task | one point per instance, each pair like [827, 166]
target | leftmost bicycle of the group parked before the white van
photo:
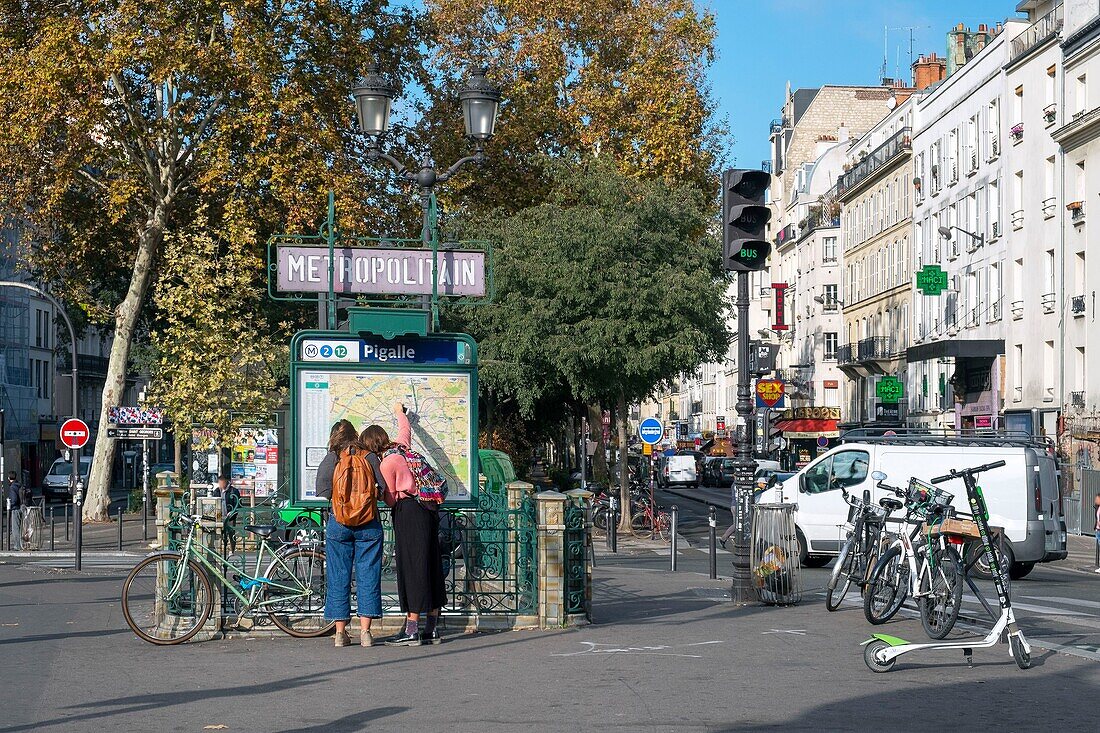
[863, 546]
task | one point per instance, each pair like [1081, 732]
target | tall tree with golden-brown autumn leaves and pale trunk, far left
[120, 119]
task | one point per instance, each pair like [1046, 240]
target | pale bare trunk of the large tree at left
[126, 320]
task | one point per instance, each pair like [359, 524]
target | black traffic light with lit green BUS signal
[745, 218]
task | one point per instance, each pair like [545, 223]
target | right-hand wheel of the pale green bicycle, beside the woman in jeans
[296, 601]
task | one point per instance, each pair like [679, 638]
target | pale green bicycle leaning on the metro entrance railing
[169, 597]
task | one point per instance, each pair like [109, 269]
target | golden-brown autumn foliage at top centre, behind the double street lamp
[621, 81]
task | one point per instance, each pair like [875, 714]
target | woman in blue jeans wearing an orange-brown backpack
[354, 535]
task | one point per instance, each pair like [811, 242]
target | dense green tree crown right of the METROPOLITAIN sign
[609, 289]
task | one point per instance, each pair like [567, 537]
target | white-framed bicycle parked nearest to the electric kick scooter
[928, 568]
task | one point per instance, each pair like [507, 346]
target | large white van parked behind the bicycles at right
[1022, 497]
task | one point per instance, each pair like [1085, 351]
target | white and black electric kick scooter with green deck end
[882, 651]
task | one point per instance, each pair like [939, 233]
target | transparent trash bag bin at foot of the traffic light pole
[775, 555]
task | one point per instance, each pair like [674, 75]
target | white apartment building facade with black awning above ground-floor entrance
[961, 165]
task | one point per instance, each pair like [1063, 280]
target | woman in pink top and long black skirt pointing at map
[421, 586]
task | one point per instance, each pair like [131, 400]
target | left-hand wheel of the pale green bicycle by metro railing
[167, 600]
